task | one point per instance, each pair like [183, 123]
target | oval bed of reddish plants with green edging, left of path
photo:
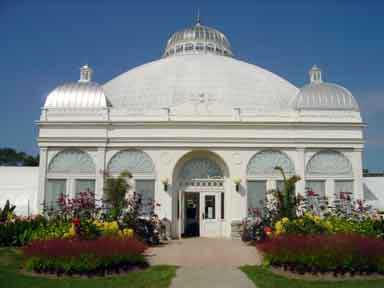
[84, 257]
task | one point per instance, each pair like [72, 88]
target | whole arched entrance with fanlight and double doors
[199, 195]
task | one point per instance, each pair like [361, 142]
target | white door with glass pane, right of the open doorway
[209, 215]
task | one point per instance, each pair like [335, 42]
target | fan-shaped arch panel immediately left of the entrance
[134, 161]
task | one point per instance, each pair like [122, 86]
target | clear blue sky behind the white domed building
[43, 43]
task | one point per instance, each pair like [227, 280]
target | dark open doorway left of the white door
[192, 215]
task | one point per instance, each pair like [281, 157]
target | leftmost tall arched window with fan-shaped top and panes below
[70, 172]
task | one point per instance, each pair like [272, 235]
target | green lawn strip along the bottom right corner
[263, 278]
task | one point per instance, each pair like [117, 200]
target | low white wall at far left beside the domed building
[19, 185]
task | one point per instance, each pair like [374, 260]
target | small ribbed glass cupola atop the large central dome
[198, 39]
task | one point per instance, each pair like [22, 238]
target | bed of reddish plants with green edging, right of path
[338, 253]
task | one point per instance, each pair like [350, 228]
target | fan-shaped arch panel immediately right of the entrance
[264, 162]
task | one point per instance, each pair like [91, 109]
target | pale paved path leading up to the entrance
[207, 262]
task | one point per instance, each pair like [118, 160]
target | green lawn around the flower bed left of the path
[11, 259]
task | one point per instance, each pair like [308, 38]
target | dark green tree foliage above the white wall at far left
[11, 157]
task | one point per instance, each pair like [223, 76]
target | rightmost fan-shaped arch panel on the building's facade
[330, 163]
